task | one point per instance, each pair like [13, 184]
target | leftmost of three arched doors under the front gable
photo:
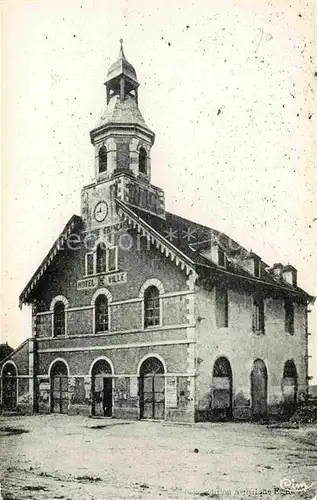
[59, 387]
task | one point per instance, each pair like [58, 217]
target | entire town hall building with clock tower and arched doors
[140, 313]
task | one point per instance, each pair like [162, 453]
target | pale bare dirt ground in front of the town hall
[61, 457]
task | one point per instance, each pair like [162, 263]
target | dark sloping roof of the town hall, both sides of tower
[186, 239]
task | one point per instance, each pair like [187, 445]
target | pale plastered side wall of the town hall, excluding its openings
[242, 346]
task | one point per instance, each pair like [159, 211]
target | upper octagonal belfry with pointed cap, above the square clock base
[122, 140]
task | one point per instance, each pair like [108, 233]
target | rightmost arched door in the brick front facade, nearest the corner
[152, 389]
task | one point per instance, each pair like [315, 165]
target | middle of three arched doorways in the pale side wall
[259, 389]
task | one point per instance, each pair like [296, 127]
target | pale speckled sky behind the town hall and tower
[227, 86]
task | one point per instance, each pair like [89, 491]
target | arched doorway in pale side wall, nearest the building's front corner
[222, 389]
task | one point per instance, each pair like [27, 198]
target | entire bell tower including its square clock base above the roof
[122, 142]
